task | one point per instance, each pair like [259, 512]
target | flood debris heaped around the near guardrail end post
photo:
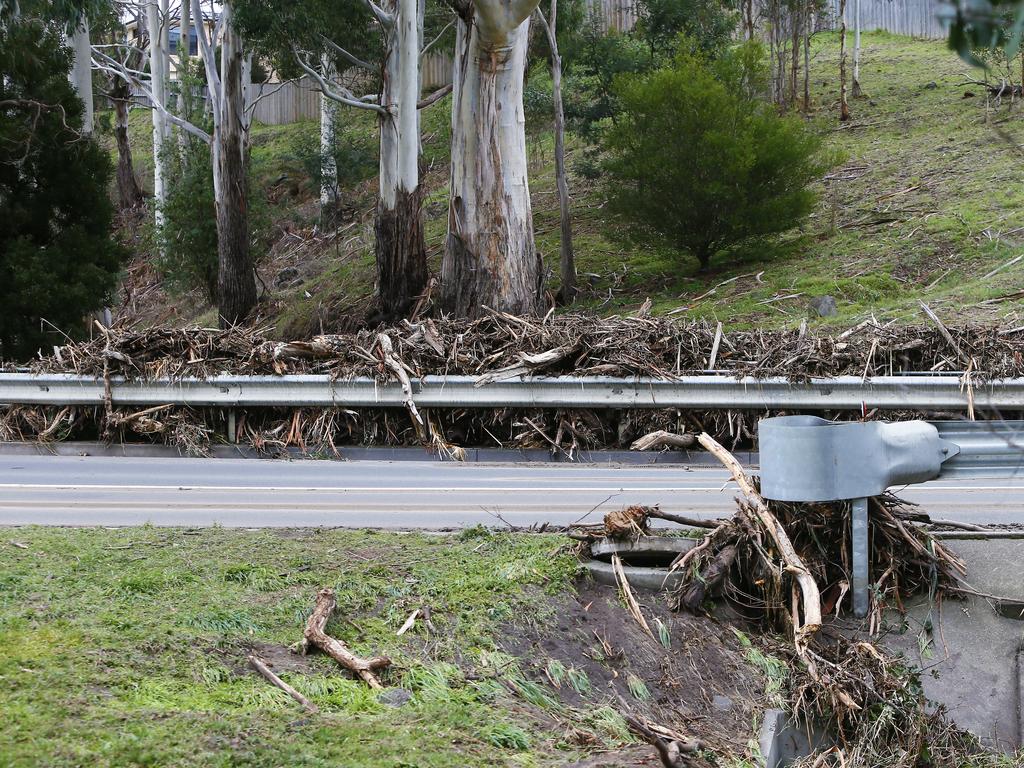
[788, 568]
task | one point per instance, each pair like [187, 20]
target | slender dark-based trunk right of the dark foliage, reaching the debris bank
[236, 284]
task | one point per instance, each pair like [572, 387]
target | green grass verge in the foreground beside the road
[127, 649]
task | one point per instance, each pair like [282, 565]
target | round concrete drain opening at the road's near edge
[646, 561]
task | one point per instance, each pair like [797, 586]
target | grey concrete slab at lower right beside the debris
[973, 666]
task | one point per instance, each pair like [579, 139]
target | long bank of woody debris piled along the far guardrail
[496, 348]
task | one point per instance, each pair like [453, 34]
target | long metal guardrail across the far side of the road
[690, 393]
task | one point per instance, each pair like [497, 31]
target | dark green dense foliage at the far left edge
[58, 262]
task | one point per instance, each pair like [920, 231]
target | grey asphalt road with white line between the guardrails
[247, 493]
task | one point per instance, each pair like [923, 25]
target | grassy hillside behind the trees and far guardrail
[925, 206]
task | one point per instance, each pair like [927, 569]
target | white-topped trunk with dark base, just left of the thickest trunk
[402, 255]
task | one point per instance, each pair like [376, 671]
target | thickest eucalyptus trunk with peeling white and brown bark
[490, 259]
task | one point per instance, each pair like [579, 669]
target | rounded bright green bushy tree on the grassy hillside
[700, 158]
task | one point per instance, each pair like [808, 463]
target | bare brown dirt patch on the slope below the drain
[694, 678]
